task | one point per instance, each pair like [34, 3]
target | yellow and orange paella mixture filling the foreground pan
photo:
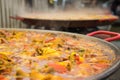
[32, 55]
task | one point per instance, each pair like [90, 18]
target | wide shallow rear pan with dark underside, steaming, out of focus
[70, 21]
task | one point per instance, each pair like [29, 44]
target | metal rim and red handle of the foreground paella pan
[106, 45]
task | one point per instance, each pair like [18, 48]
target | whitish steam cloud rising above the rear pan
[70, 7]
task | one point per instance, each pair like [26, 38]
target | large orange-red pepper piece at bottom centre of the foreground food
[58, 68]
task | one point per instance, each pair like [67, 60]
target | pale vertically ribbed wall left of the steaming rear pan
[7, 9]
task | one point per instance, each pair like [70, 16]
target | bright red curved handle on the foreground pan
[116, 36]
